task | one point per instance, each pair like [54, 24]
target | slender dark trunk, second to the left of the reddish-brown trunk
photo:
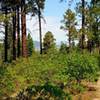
[14, 34]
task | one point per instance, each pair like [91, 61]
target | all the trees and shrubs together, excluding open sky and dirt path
[53, 73]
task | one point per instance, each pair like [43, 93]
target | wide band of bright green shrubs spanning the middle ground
[55, 68]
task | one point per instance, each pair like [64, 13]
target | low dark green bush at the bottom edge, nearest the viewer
[44, 92]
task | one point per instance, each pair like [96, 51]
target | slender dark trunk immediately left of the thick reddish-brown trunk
[18, 33]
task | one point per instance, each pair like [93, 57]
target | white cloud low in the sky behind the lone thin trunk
[52, 24]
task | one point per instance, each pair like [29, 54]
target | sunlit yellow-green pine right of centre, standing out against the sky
[69, 22]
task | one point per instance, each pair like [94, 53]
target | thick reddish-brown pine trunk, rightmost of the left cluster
[23, 23]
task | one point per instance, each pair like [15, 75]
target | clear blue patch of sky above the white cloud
[56, 8]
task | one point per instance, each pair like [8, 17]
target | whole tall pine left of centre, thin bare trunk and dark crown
[36, 7]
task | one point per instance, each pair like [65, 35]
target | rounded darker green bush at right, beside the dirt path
[81, 66]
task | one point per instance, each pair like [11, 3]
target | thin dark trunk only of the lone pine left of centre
[40, 30]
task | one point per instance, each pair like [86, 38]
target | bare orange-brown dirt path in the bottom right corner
[92, 94]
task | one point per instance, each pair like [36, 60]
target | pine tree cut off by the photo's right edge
[95, 13]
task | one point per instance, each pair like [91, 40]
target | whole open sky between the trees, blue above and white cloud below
[53, 14]
